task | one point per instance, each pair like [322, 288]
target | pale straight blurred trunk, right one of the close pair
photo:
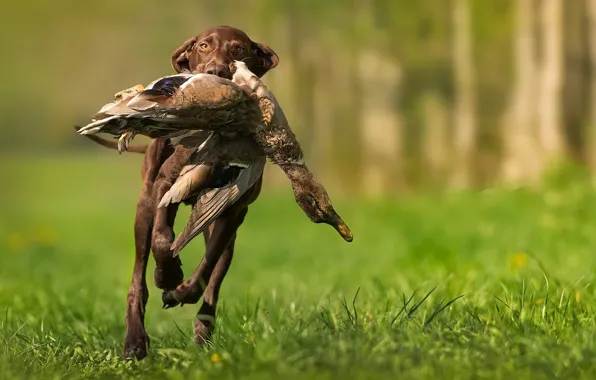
[551, 81]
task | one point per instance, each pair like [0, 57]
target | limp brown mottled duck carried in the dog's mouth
[234, 125]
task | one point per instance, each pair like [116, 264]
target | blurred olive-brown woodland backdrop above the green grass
[385, 96]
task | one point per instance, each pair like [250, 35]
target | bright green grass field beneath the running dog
[493, 284]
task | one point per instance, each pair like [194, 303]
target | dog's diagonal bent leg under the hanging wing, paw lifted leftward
[223, 232]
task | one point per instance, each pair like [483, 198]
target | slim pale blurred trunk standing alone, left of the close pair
[464, 109]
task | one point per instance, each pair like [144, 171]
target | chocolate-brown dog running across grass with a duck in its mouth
[213, 51]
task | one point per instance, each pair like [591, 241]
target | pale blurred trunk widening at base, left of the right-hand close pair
[521, 154]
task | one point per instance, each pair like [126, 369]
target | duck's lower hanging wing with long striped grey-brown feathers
[213, 202]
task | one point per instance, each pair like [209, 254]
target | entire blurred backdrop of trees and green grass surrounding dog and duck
[457, 138]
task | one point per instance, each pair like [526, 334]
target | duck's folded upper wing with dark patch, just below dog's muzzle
[177, 103]
